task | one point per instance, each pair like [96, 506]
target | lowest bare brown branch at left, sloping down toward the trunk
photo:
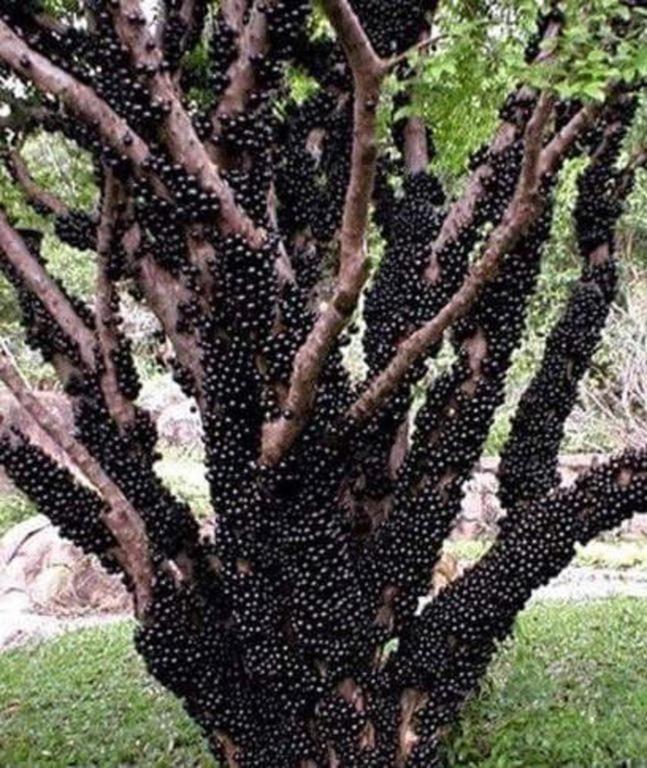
[122, 520]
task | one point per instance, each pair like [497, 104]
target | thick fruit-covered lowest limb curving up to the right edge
[455, 637]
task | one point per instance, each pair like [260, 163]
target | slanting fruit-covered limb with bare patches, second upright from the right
[450, 431]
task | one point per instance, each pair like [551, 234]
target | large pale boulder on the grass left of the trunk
[43, 573]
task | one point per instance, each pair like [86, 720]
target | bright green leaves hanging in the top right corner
[478, 57]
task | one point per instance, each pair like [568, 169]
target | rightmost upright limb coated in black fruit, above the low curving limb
[528, 467]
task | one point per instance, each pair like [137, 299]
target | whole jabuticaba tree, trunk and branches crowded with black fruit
[241, 217]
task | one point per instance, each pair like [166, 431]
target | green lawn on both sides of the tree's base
[571, 691]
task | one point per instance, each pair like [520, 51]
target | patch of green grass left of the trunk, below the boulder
[85, 700]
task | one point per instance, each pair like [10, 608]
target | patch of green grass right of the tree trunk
[570, 692]
